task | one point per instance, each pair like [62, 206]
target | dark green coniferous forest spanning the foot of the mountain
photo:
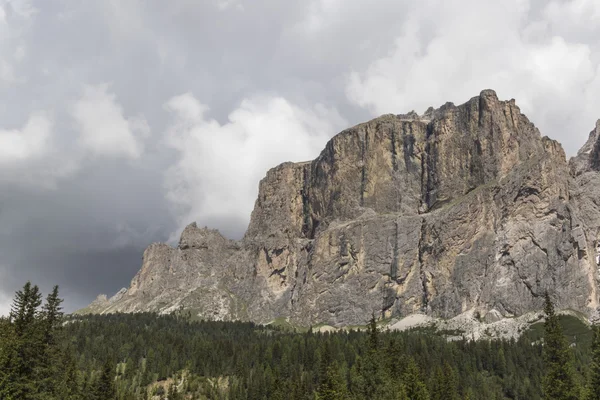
[45, 355]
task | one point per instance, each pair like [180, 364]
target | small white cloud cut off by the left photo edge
[29, 142]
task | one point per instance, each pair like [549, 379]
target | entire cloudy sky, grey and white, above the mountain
[121, 121]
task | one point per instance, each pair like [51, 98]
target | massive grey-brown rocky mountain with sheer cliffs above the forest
[463, 208]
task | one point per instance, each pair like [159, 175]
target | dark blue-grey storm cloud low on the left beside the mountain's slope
[87, 234]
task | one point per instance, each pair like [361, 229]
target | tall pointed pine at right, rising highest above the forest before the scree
[559, 380]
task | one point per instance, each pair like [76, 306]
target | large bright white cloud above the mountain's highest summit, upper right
[478, 45]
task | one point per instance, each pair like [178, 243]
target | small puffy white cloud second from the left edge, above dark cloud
[103, 128]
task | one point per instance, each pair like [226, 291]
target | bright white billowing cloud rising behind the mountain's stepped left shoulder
[219, 165]
